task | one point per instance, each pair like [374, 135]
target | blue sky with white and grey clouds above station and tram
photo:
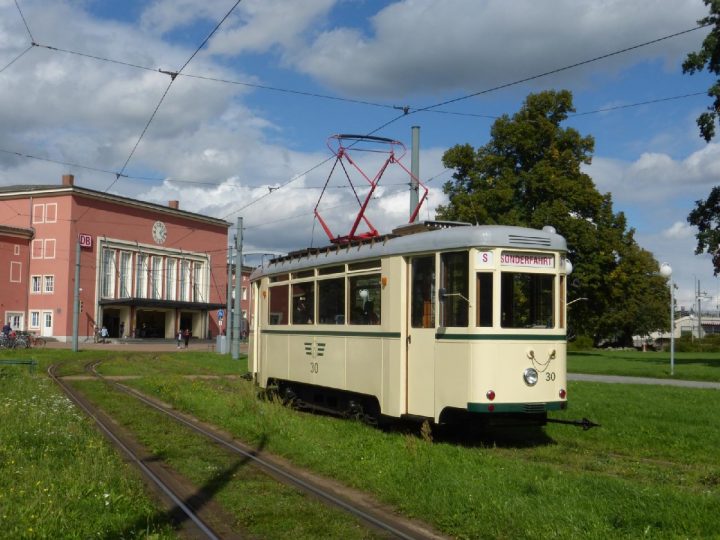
[243, 129]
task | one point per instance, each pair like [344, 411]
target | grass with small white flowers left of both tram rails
[58, 476]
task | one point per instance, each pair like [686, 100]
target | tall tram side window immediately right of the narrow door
[454, 278]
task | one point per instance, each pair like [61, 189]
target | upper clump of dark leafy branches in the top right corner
[708, 57]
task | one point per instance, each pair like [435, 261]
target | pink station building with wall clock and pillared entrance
[146, 270]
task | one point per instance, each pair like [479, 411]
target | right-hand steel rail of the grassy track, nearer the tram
[263, 463]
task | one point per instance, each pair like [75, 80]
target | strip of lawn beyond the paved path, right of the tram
[688, 366]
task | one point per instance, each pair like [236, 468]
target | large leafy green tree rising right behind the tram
[529, 174]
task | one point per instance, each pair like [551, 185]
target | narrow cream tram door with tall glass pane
[421, 337]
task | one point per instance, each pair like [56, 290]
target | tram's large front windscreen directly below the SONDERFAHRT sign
[527, 300]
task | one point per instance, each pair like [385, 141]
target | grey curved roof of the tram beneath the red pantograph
[441, 239]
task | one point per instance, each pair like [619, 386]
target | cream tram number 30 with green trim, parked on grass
[464, 321]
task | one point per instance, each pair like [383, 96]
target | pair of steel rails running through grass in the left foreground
[356, 504]
